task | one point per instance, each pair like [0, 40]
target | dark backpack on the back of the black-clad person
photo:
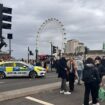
[89, 75]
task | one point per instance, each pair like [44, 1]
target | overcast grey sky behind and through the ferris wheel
[82, 19]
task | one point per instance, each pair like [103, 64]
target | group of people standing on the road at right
[90, 72]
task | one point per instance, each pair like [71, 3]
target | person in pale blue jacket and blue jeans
[80, 67]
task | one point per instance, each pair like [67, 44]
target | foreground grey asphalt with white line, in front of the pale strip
[52, 97]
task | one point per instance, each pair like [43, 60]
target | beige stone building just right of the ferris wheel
[74, 47]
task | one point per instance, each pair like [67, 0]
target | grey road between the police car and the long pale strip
[18, 83]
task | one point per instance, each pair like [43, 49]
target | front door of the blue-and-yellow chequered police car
[21, 69]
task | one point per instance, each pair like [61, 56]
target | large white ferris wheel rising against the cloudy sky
[50, 31]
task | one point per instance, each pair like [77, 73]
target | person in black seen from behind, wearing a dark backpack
[91, 80]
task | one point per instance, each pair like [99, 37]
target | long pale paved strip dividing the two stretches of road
[12, 94]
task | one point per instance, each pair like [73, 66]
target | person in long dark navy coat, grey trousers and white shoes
[62, 73]
